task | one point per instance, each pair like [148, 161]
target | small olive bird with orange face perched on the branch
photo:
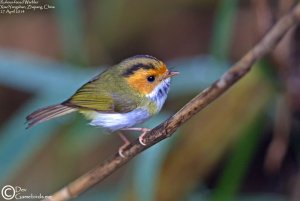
[119, 98]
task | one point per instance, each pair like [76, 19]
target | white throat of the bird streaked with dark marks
[159, 93]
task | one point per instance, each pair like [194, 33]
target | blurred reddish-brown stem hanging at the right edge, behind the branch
[285, 62]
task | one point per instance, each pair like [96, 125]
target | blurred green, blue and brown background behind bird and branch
[244, 146]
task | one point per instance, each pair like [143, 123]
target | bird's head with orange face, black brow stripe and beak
[144, 73]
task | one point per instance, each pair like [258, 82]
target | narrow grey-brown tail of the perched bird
[47, 113]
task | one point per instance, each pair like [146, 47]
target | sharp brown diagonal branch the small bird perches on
[167, 128]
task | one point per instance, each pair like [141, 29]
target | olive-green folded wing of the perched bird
[99, 96]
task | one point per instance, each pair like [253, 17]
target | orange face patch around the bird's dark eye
[140, 79]
